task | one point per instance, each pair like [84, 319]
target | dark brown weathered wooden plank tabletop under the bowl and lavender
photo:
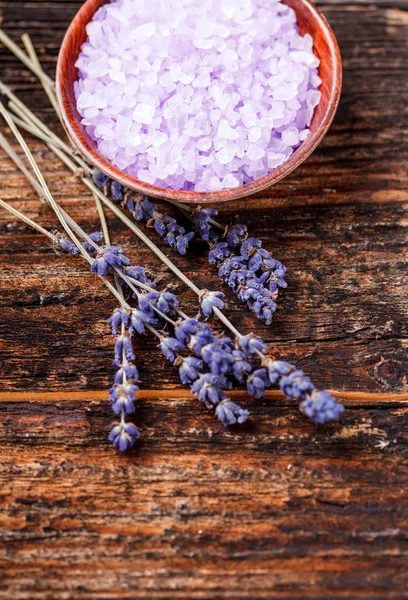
[279, 508]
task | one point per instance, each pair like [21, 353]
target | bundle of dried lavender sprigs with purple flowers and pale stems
[224, 358]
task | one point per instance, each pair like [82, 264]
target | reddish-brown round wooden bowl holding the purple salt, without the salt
[310, 20]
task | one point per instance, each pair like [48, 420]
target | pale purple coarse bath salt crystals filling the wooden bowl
[199, 95]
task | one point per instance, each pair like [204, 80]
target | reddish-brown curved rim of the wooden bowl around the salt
[76, 134]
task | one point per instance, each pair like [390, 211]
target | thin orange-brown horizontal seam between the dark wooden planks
[350, 399]
